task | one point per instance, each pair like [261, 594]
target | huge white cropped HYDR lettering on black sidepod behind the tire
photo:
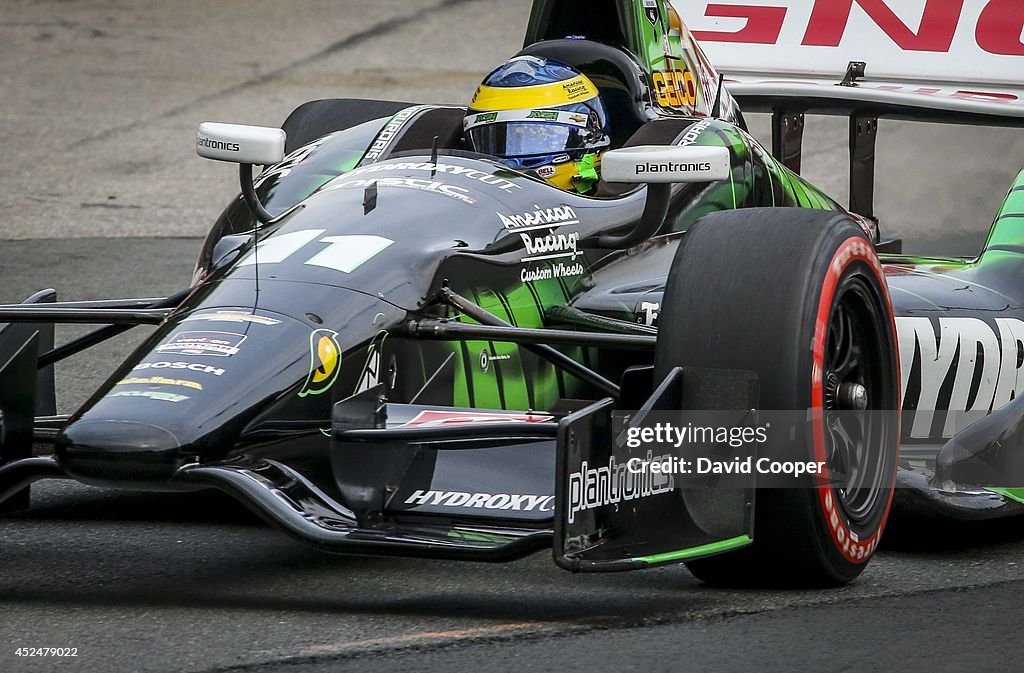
[965, 365]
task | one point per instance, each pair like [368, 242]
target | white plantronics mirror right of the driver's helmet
[660, 165]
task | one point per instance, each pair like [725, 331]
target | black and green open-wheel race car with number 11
[395, 347]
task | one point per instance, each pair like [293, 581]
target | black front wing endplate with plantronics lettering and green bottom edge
[610, 518]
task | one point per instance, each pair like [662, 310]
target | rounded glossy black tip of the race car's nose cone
[119, 453]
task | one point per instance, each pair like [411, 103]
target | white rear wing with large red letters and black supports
[935, 61]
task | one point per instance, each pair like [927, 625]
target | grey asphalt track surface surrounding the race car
[101, 197]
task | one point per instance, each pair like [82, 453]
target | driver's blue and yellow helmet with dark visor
[544, 117]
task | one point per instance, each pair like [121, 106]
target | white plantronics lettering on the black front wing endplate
[615, 484]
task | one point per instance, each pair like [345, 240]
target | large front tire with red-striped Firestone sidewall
[797, 297]
